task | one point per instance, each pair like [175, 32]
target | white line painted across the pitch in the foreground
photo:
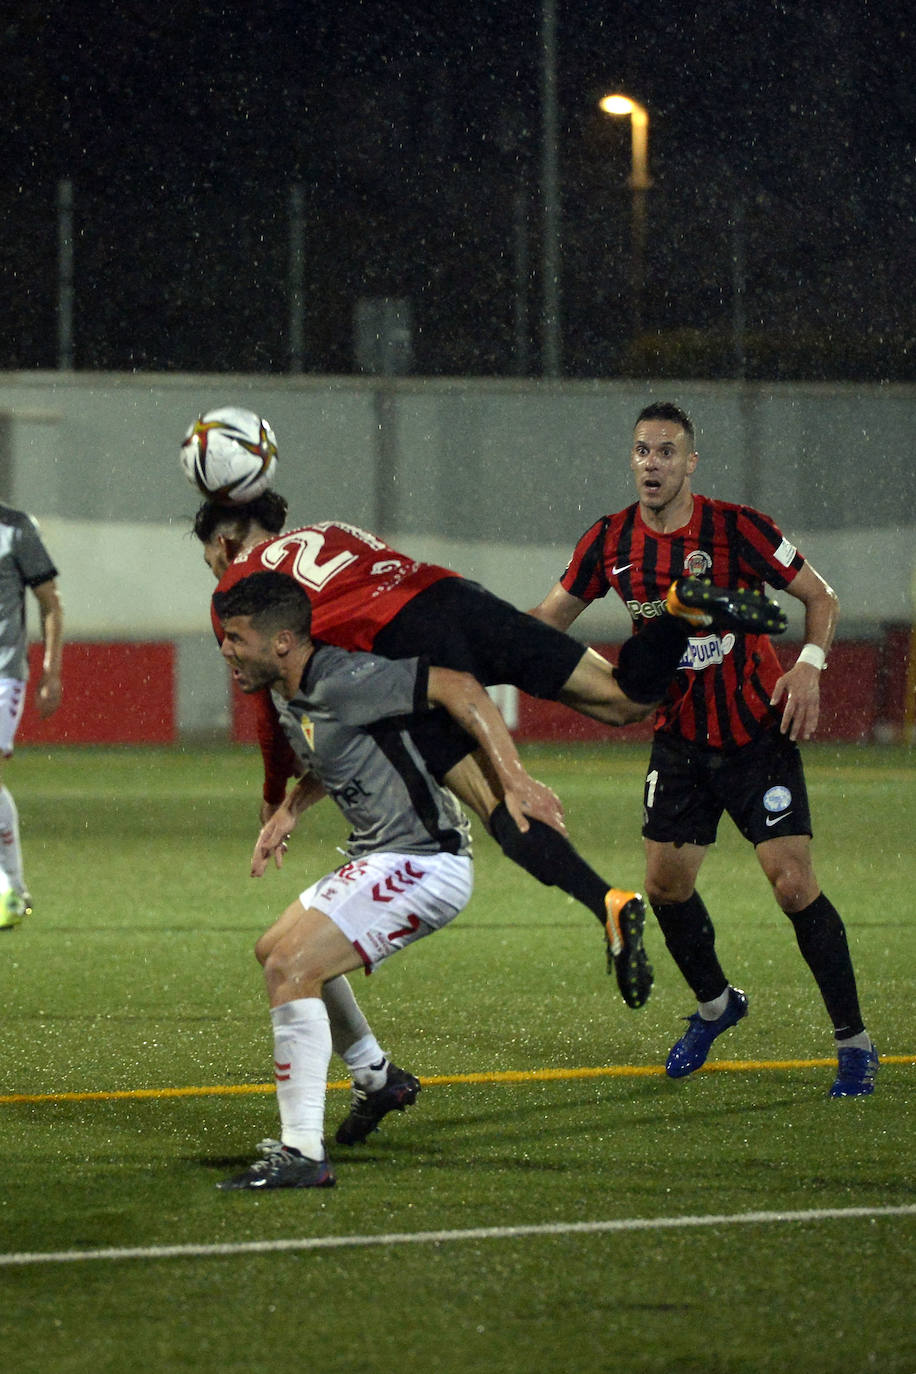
[484, 1233]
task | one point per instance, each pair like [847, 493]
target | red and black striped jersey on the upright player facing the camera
[722, 693]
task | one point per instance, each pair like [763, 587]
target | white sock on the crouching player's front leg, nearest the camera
[301, 1059]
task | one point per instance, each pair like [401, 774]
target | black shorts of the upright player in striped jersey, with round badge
[762, 787]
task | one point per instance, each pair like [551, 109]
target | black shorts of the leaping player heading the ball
[458, 624]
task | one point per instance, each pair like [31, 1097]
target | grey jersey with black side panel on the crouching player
[350, 725]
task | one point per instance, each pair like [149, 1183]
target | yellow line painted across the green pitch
[619, 1071]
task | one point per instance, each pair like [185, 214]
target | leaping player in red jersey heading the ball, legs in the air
[370, 597]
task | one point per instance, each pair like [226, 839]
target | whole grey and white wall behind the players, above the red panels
[496, 479]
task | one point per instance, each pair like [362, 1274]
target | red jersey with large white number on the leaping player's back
[356, 585]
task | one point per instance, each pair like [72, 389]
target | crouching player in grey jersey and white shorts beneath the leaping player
[409, 866]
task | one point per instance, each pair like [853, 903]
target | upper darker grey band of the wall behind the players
[496, 461]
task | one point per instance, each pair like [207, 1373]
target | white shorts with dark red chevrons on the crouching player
[387, 902]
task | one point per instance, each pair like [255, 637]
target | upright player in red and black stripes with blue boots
[726, 737]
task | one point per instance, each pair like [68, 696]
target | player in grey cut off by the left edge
[25, 564]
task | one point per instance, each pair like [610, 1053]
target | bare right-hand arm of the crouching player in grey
[476, 712]
